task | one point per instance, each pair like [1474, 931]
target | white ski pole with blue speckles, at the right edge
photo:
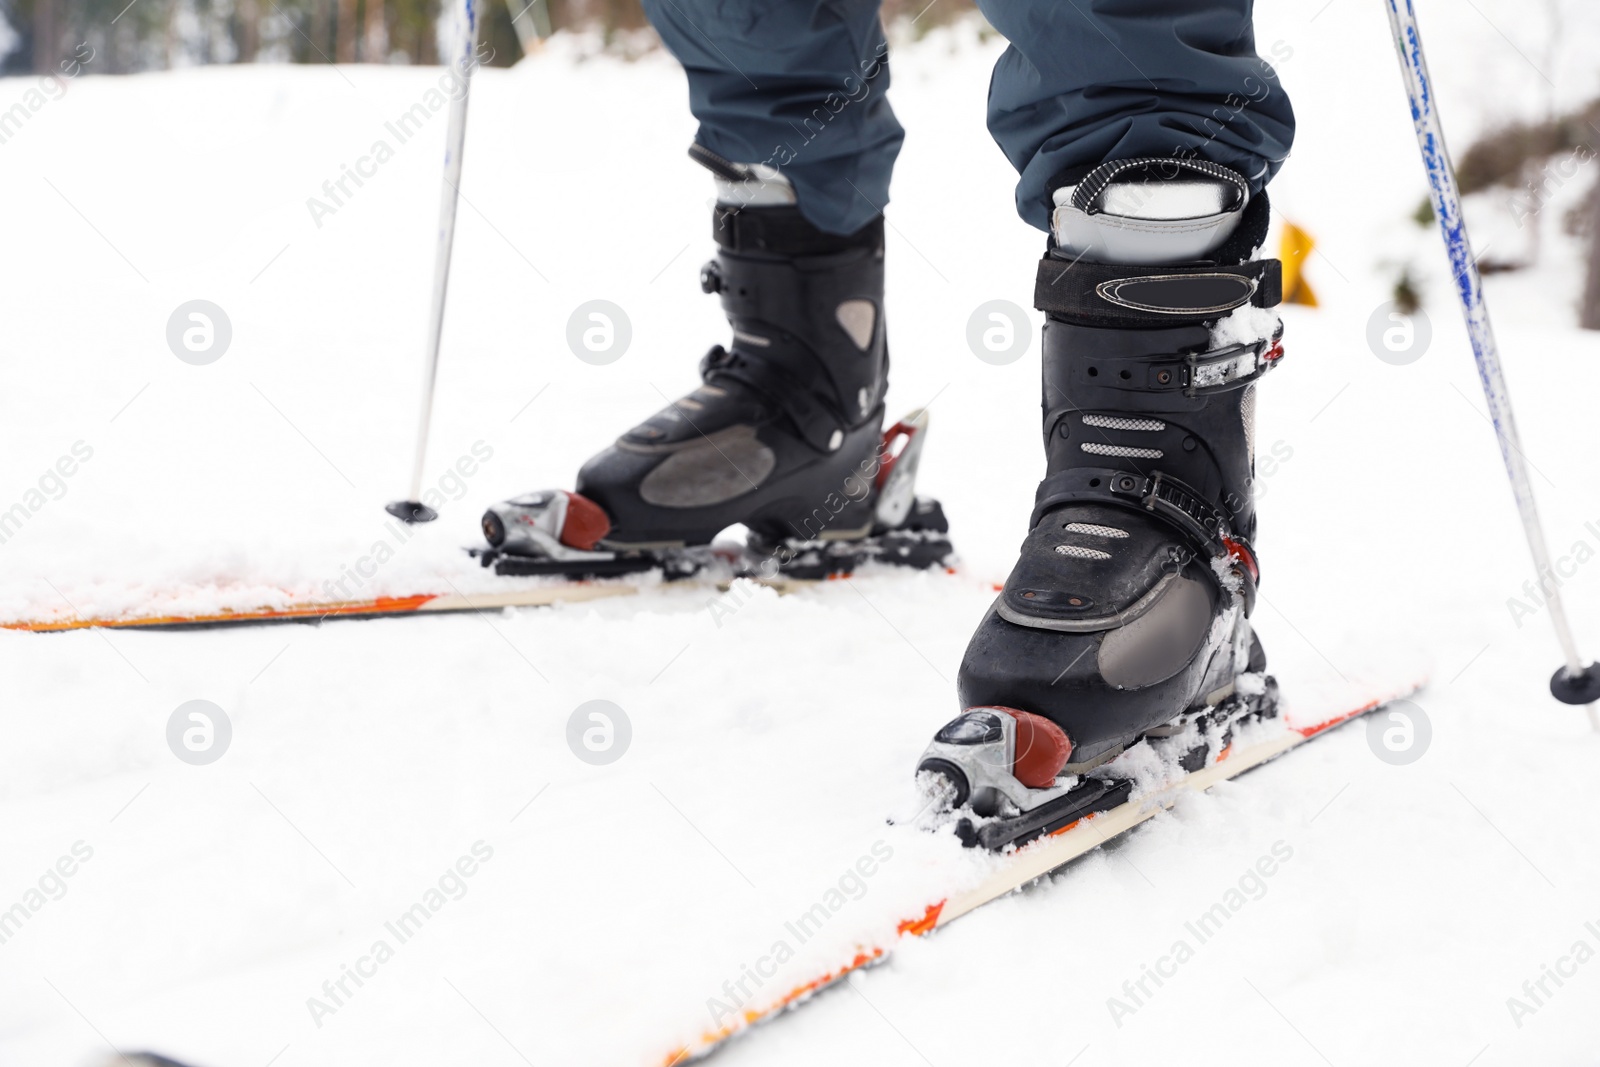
[1574, 682]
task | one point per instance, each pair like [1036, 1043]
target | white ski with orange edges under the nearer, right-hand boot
[1102, 815]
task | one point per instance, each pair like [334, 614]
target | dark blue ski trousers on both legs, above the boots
[801, 86]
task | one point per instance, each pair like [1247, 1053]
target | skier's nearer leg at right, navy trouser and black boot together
[1145, 132]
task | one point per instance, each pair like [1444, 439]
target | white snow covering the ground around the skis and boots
[606, 906]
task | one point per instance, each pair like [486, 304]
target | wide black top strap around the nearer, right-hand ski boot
[1110, 295]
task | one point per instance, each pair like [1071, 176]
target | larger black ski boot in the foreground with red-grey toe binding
[1126, 620]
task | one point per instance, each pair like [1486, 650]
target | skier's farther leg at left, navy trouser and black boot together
[785, 434]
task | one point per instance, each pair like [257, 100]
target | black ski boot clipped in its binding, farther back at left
[783, 436]
